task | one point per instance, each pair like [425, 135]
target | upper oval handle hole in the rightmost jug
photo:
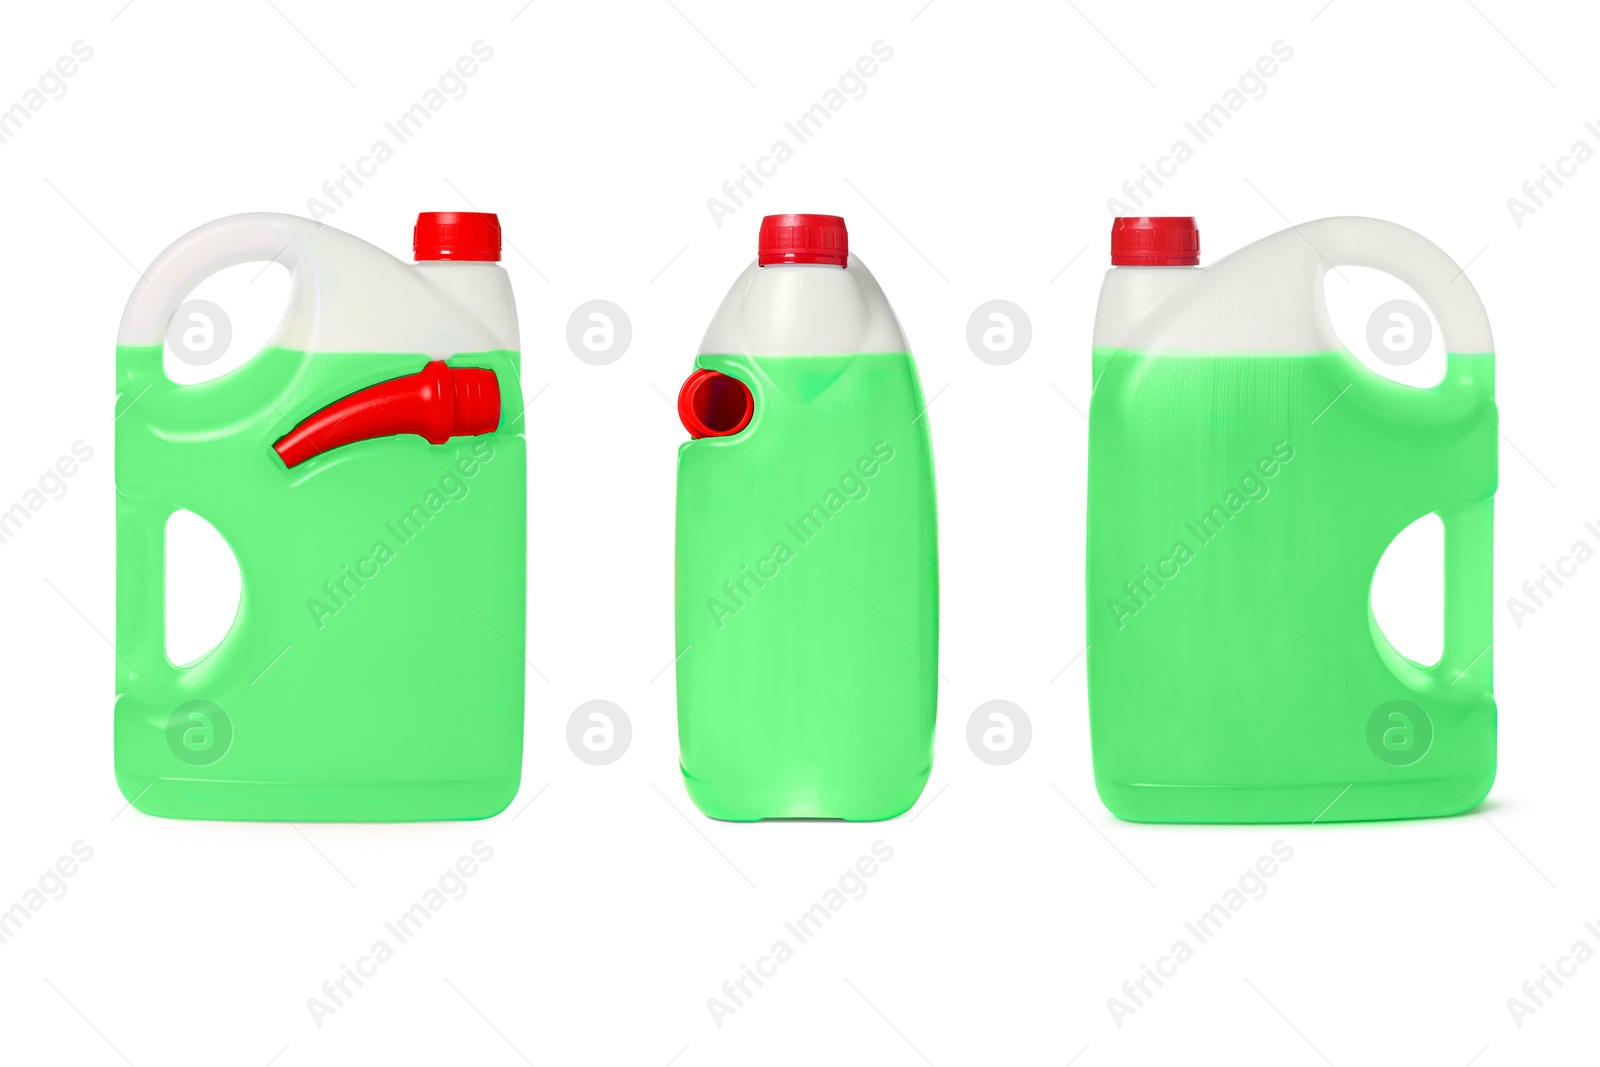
[1386, 326]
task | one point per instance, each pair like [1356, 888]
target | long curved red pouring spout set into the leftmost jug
[438, 404]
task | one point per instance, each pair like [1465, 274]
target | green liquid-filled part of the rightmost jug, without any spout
[1238, 511]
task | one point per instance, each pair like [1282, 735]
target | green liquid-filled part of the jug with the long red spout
[375, 669]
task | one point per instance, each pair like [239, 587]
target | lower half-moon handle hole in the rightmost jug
[1409, 591]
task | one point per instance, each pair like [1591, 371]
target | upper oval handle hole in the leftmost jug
[225, 322]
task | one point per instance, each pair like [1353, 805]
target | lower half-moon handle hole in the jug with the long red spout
[202, 588]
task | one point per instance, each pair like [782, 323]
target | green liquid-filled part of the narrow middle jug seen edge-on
[809, 594]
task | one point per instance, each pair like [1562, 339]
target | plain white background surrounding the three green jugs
[978, 166]
